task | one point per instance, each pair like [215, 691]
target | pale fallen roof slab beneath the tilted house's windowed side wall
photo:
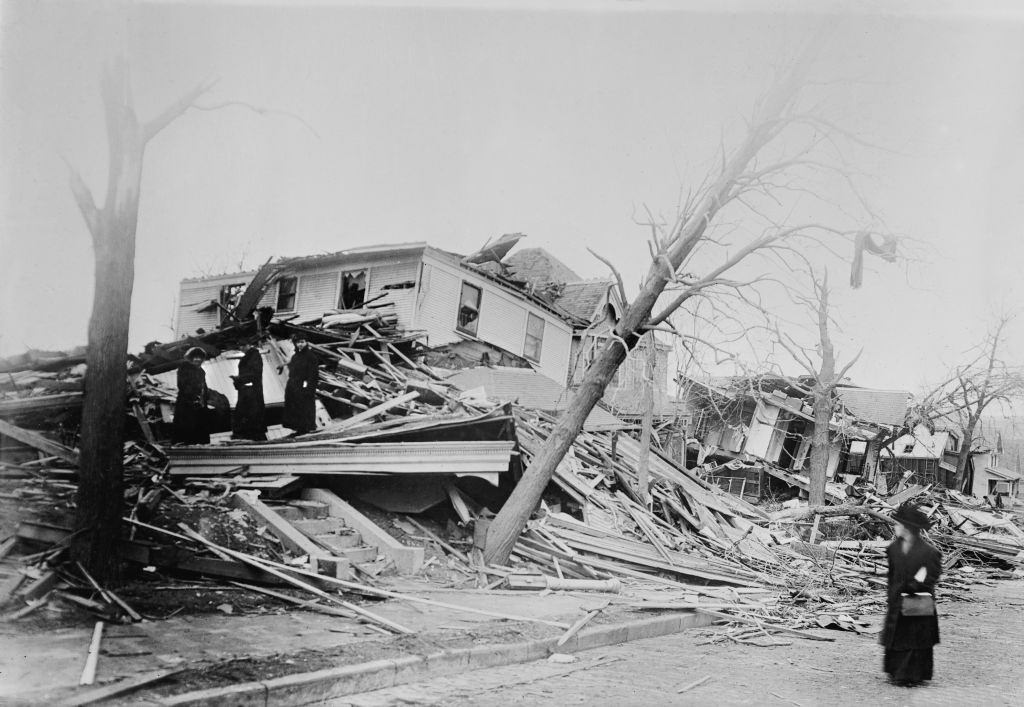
[530, 390]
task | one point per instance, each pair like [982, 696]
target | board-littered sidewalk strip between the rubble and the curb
[250, 650]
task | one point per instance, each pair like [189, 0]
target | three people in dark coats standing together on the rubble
[192, 409]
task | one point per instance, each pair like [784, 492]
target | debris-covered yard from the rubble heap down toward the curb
[389, 504]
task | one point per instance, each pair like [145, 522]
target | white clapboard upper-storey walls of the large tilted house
[442, 299]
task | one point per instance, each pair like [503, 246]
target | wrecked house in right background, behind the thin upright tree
[750, 430]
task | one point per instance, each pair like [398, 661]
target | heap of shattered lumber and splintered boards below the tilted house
[696, 549]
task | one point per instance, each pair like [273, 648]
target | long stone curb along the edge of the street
[320, 686]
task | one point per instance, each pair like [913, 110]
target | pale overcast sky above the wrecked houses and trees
[565, 121]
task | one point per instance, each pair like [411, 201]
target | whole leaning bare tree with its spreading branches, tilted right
[682, 269]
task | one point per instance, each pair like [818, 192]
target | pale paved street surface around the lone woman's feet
[977, 663]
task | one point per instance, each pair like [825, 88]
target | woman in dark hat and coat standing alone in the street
[912, 627]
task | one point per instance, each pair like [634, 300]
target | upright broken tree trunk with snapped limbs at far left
[101, 493]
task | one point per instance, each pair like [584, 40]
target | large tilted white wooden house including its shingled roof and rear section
[526, 311]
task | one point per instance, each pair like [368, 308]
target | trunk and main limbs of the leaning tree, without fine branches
[688, 233]
